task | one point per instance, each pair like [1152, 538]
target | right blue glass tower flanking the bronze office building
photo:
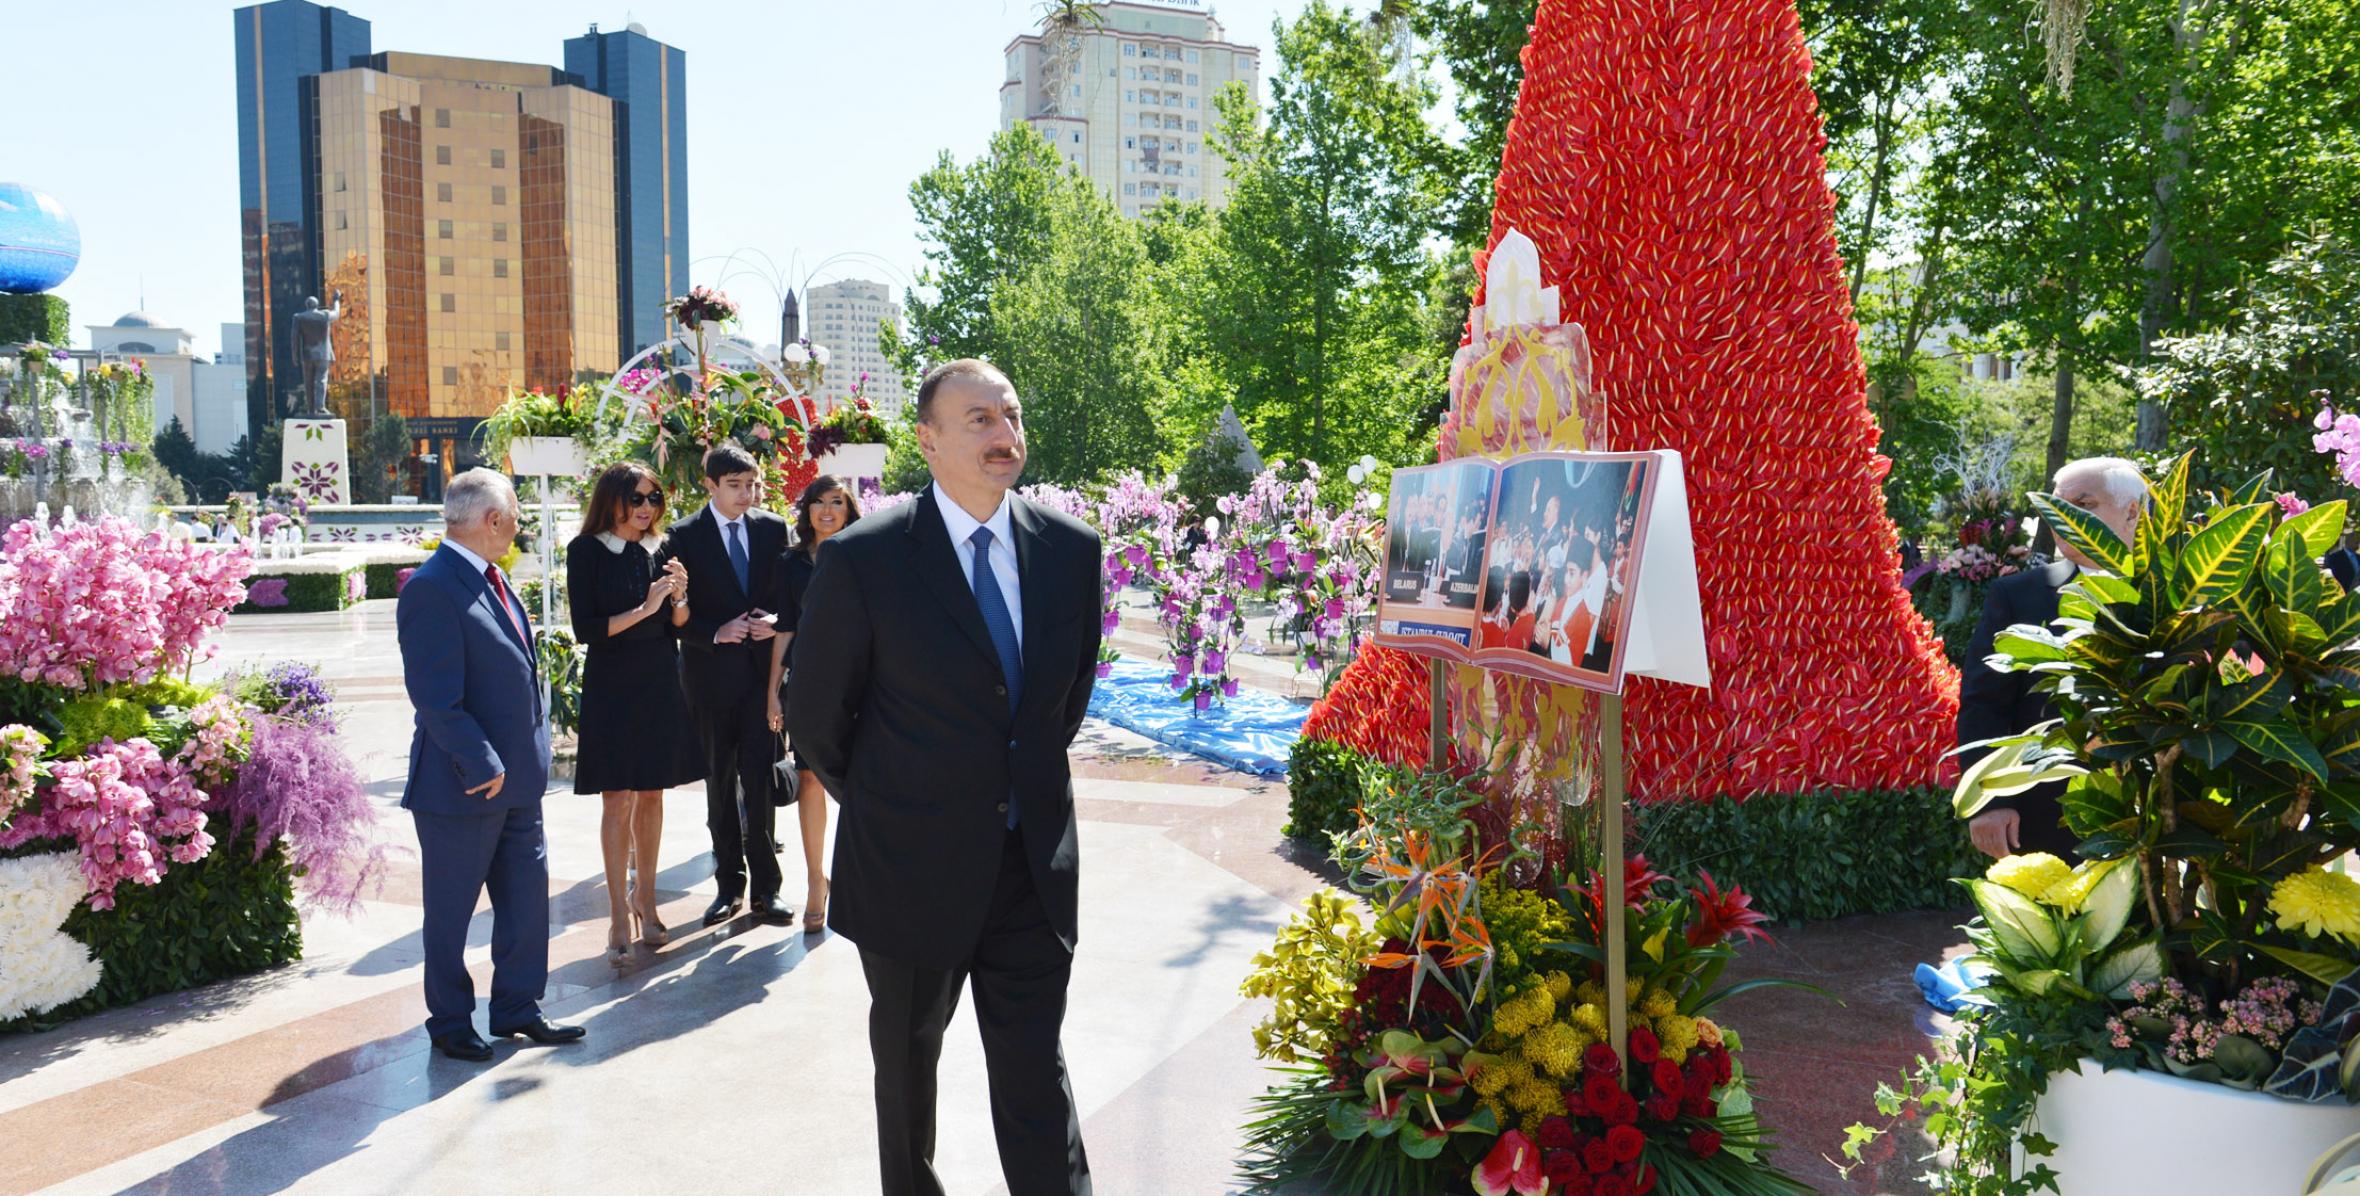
[650, 88]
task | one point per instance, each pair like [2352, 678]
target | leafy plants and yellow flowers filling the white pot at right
[2210, 749]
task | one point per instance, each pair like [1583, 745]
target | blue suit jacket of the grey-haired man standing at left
[476, 692]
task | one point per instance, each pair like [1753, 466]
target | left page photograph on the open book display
[1434, 548]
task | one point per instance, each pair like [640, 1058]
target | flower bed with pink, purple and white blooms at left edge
[152, 832]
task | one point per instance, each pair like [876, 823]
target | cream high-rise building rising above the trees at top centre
[1127, 100]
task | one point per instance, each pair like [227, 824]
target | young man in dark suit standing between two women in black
[733, 553]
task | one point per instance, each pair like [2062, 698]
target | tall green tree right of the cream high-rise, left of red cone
[1320, 277]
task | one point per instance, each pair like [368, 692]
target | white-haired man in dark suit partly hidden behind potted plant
[2002, 704]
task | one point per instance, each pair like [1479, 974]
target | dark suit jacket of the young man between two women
[721, 673]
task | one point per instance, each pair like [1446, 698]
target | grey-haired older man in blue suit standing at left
[480, 761]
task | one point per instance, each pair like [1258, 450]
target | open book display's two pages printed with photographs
[1559, 553]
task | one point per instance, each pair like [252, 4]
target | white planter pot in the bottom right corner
[2144, 1131]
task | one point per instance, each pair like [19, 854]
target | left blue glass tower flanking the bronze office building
[280, 46]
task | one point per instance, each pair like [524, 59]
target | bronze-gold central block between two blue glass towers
[468, 213]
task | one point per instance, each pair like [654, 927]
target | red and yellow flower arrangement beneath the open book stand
[1462, 1037]
